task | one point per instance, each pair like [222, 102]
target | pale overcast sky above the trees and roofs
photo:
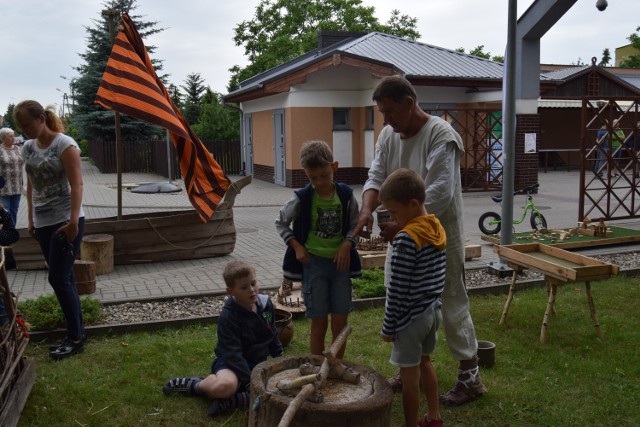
[40, 40]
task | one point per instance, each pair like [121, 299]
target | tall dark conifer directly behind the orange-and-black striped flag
[92, 121]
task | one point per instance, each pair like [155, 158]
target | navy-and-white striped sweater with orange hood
[417, 272]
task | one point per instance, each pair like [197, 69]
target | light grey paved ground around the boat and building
[257, 241]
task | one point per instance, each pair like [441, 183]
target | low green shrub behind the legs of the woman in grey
[44, 312]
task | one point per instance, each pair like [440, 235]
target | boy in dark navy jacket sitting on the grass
[246, 337]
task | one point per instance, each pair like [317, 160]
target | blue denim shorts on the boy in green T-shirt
[325, 289]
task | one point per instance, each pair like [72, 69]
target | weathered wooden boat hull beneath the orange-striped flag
[150, 237]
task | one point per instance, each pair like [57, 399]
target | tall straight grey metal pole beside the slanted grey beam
[509, 128]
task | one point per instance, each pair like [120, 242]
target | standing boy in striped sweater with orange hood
[413, 296]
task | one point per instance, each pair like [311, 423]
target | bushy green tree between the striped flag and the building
[217, 123]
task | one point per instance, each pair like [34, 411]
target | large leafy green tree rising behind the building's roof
[285, 29]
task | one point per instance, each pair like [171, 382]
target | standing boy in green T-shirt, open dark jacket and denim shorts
[321, 245]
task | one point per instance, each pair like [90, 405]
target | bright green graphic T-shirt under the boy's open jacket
[325, 236]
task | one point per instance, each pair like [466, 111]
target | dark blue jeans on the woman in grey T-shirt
[60, 256]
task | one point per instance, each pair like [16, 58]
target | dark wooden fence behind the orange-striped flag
[151, 156]
